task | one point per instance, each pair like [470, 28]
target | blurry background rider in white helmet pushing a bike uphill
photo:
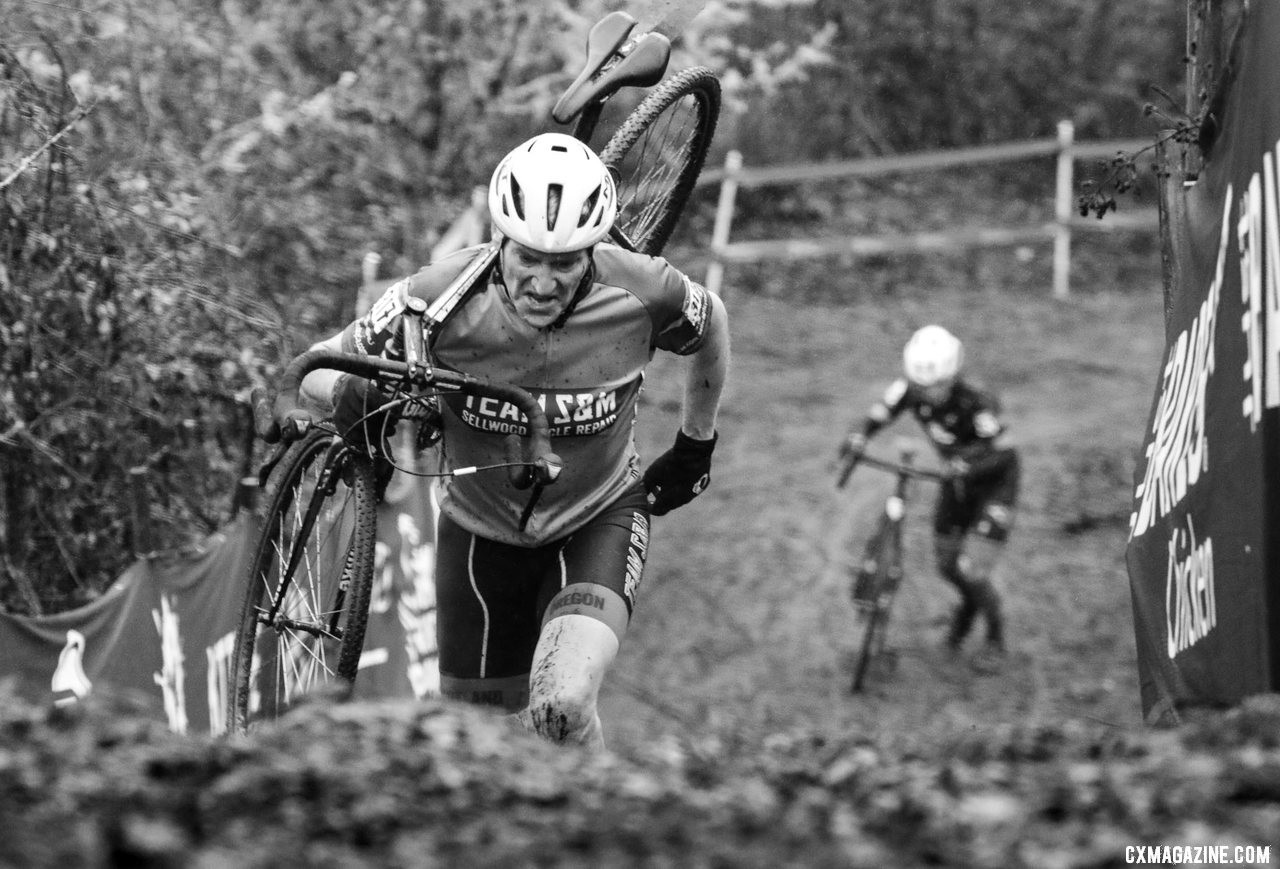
[981, 493]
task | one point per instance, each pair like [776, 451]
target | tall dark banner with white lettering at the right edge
[1204, 551]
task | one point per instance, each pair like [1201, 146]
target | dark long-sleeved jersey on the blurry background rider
[964, 427]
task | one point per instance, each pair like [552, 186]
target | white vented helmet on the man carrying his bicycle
[554, 195]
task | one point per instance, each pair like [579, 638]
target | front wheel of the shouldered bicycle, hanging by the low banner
[307, 602]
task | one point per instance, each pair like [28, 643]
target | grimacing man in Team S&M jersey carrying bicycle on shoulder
[531, 621]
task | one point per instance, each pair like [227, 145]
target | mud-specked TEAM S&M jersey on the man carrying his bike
[586, 372]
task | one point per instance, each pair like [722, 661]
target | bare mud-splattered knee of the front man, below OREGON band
[573, 656]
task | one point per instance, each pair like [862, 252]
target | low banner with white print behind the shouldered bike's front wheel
[164, 630]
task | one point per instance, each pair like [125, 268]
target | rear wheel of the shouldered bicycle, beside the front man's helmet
[657, 154]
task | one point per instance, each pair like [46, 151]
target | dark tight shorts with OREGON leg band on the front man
[493, 598]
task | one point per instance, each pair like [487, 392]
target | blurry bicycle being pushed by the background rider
[879, 577]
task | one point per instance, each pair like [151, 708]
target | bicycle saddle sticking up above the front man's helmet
[612, 65]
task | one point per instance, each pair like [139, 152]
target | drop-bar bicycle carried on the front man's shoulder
[308, 592]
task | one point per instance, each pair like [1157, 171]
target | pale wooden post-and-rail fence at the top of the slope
[735, 176]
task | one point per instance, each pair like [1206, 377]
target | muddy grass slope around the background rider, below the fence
[746, 624]
